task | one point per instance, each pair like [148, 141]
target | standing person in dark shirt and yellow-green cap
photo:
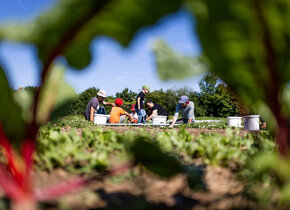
[140, 109]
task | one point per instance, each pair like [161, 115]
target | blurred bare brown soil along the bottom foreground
[147, 191]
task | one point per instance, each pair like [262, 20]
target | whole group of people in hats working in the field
[138, 113]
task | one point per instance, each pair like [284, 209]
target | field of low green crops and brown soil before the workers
[206, 166]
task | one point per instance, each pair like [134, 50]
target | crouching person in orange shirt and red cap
[118, 114]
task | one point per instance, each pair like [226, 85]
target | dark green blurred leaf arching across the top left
[61, 31]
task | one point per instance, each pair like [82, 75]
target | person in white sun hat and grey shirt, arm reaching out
[95, 105]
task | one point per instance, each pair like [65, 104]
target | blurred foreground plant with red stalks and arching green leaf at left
[59, 32]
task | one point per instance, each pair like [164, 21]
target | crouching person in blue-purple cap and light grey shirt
[187, 109]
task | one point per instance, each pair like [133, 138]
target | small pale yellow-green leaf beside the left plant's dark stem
[55, 93]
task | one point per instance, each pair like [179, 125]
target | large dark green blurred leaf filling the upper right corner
[248, 45]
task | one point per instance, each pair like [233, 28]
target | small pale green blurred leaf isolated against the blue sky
[171, 65]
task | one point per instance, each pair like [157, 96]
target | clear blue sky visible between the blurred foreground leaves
[114, 67]
